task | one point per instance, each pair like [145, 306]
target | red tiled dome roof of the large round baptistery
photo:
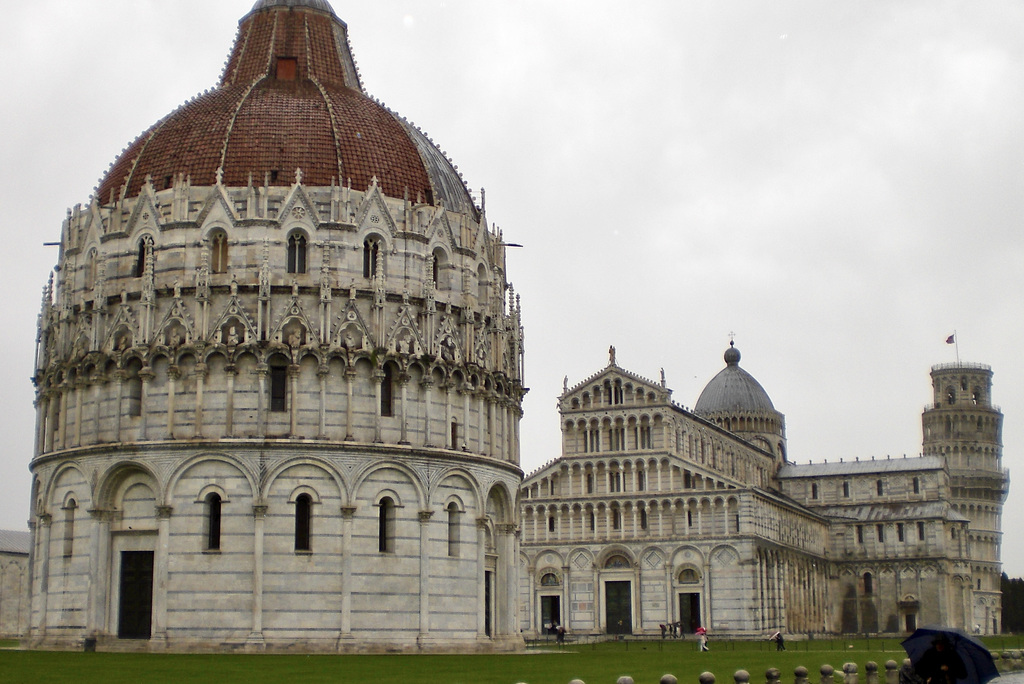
[290, 99]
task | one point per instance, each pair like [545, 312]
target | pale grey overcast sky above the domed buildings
[841, 185]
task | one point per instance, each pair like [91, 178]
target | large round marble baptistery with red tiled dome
[279, 379]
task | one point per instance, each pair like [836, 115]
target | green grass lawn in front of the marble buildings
[595, 664]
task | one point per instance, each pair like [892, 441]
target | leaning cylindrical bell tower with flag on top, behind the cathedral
[965, 429]
